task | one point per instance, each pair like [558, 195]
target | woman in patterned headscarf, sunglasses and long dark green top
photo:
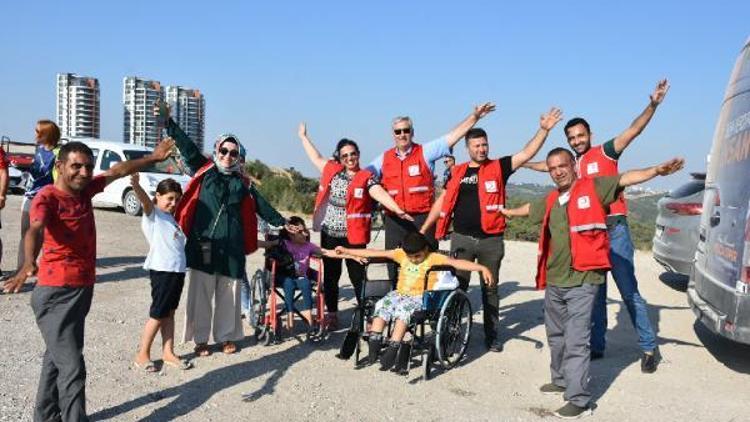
[218, 215]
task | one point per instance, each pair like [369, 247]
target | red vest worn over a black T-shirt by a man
[491, 190]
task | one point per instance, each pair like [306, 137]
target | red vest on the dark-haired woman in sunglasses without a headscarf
[358, 203]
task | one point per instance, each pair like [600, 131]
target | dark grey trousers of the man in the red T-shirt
[61, 315]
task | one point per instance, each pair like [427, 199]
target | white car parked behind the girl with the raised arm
[119, 193]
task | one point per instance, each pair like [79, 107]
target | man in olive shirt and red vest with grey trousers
[573, 279]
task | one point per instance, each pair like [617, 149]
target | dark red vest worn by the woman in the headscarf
[185, 210]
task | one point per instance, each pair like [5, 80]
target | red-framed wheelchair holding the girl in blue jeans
[266, 294]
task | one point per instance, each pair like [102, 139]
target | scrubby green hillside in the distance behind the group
[289, 190]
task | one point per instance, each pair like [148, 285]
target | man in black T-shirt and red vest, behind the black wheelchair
[473, 200]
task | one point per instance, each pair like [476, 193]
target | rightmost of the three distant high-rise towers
[188, 111]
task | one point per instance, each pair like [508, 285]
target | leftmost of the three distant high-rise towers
[77, 105]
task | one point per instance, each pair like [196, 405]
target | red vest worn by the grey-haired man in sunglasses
[408, 181]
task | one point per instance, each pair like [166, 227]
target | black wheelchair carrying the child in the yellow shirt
[440, 332]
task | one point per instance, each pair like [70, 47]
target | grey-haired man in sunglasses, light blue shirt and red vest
[406, 173]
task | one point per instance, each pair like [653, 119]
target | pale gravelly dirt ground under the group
[702, 377]
